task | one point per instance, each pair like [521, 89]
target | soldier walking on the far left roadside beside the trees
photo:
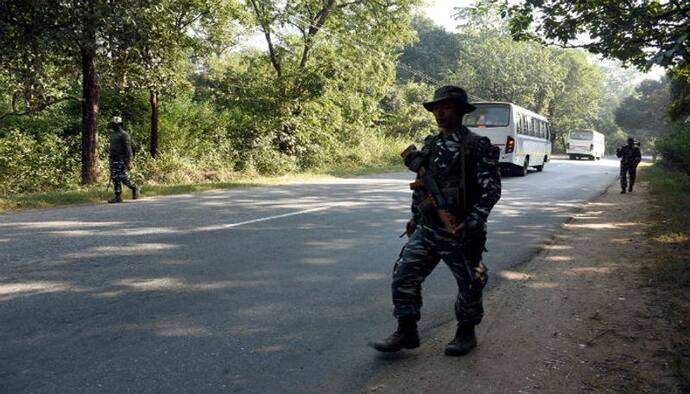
[120, 160]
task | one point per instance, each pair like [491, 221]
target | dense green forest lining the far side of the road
[325, 84]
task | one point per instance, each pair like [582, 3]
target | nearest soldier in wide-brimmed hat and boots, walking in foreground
[465, 166]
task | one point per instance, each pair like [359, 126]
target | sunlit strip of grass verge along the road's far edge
[99, 195]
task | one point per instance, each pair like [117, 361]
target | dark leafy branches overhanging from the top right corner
[641, 33]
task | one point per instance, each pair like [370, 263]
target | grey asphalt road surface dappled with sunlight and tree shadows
[271, 289]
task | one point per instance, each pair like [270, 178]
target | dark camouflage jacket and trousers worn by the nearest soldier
[463, 159]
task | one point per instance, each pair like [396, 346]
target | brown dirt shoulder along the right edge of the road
[580, 317]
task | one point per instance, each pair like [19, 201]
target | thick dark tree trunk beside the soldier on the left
[89, 135]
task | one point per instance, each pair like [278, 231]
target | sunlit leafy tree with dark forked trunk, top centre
[330, 64]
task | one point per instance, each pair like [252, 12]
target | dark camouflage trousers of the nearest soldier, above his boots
[418, 259]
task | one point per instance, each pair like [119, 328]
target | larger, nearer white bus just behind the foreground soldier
[522, 135]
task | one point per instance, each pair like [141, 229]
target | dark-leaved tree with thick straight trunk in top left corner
[39, 36]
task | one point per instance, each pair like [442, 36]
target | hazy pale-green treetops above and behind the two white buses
[559, 84]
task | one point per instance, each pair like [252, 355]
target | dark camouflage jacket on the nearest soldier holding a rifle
[481, 188]
